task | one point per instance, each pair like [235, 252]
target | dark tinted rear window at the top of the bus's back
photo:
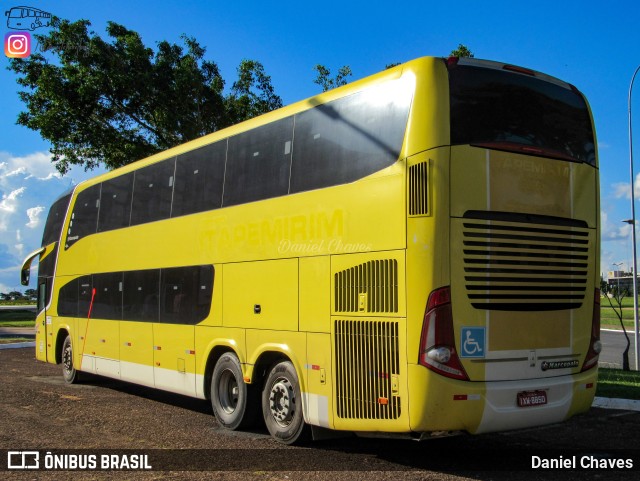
[517, 112]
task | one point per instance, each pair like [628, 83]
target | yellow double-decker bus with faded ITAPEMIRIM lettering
[415, 253]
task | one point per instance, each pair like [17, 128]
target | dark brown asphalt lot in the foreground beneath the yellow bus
[39, 413]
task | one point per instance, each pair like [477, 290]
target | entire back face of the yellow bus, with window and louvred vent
[512, 340]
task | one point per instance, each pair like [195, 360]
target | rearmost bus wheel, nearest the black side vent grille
[282, 405]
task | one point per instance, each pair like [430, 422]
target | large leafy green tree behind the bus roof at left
[115, 101]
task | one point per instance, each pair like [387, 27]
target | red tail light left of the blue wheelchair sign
[437, 343]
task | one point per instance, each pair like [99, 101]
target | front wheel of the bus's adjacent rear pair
[235, 404]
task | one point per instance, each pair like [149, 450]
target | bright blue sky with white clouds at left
[591, 44]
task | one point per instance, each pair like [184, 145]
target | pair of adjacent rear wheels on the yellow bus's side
[237, 404]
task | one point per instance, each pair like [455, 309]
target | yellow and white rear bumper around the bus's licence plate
[478, 407]
